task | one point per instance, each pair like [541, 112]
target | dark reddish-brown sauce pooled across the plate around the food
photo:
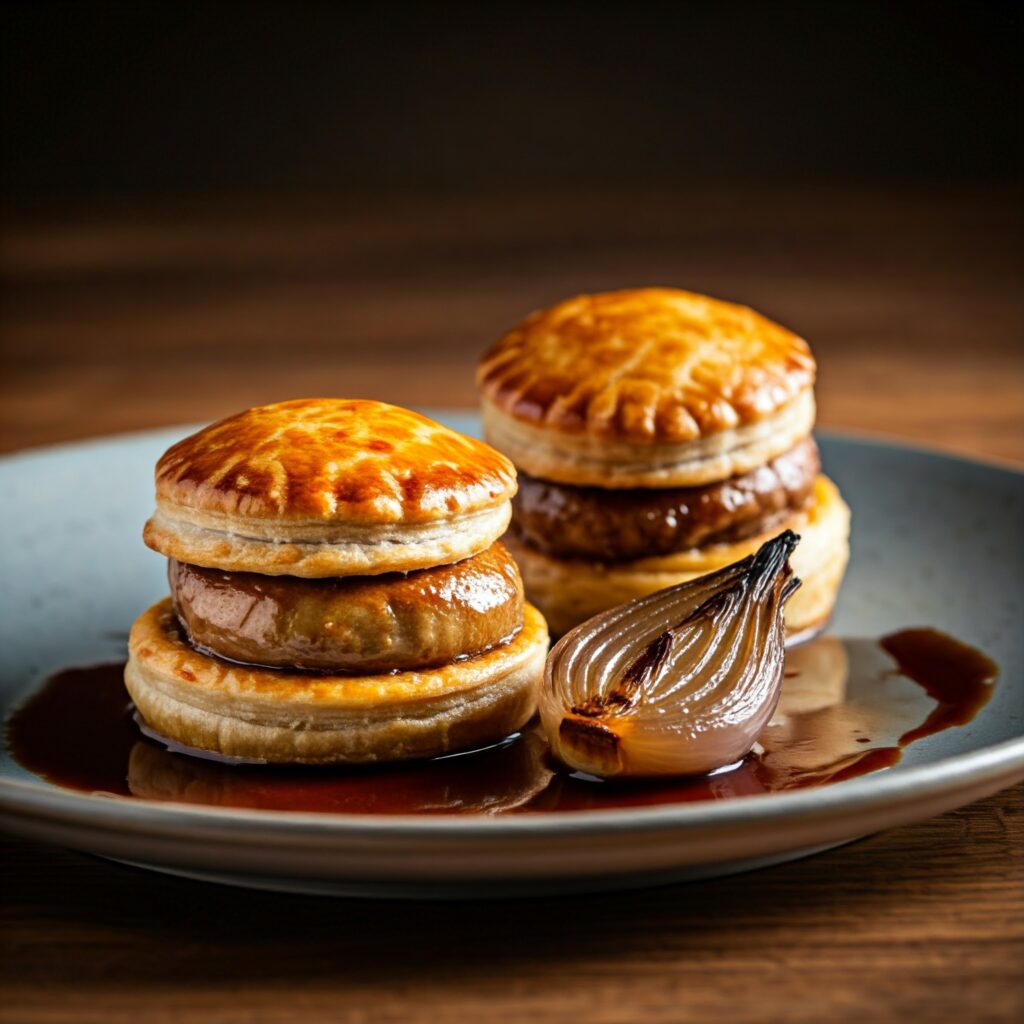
[846, 710]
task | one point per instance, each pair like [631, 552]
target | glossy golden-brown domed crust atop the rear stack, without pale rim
[652, 365]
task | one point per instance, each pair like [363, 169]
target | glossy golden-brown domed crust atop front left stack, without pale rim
[333, 461]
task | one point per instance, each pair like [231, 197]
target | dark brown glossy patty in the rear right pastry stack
[612, 526]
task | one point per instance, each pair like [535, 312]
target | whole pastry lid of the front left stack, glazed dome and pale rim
[328, 488]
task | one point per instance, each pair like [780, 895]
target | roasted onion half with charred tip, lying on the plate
[679, 682]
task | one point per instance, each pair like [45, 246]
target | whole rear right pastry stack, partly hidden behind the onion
[660, 436]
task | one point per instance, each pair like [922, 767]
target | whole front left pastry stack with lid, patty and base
[336, 593]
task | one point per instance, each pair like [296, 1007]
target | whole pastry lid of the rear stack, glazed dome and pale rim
[653, 388]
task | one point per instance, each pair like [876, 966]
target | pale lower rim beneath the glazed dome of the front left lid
[315, 549]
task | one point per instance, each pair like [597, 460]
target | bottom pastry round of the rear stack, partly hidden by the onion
[570, 591]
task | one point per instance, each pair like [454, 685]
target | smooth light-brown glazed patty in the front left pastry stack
[357, 625]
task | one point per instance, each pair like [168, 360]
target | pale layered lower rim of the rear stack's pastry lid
[581, 459]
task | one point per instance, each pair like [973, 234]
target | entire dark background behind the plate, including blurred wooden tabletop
[212, 205]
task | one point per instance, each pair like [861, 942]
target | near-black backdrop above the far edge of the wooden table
[139, 100]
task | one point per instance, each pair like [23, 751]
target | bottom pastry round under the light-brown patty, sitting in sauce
[236, 711]
